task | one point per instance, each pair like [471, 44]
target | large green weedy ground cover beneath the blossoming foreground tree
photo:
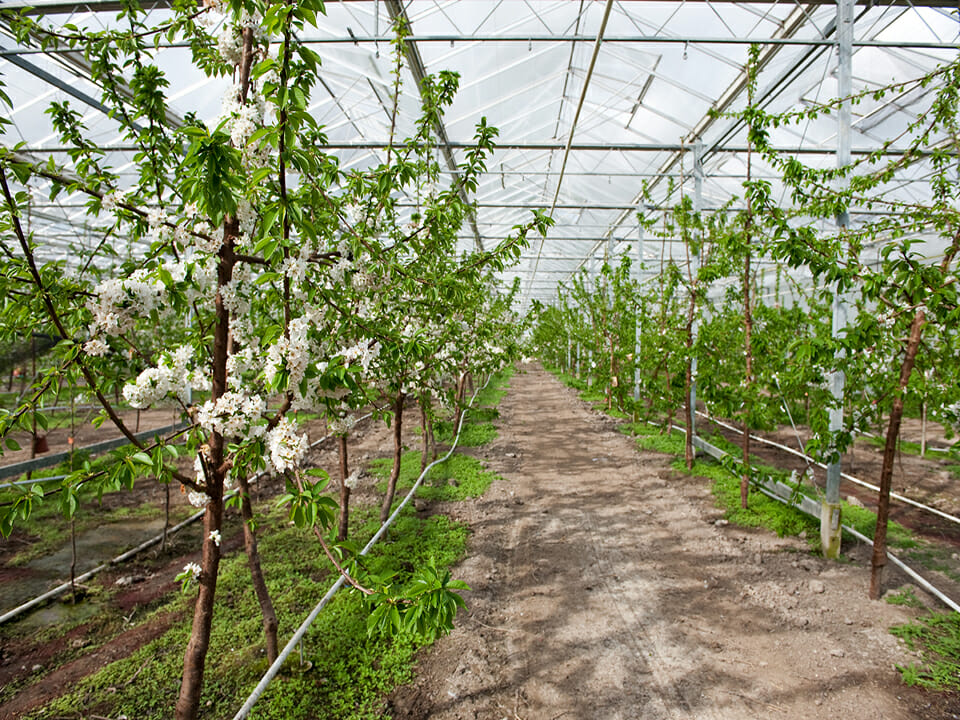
[350, 672]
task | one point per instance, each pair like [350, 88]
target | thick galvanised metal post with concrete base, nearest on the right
[830, 533]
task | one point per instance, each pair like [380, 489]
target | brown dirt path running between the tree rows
[604, 587]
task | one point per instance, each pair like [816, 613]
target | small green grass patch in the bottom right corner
[937, 638]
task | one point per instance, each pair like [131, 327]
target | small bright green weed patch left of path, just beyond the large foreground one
[458, 478]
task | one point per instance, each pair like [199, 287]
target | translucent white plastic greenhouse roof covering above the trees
[523, 64]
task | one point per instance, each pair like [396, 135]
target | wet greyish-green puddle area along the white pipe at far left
[94, 547]
